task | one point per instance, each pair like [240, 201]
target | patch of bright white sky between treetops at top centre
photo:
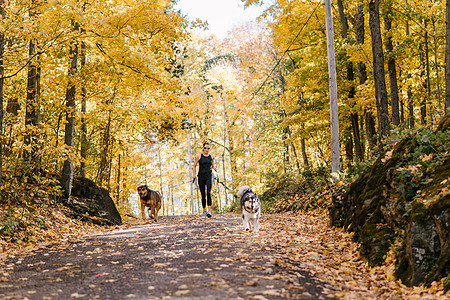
[221, 15]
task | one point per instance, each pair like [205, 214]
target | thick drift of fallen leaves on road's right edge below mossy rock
[305, 241]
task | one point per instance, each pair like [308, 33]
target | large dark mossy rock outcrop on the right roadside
[403, 196]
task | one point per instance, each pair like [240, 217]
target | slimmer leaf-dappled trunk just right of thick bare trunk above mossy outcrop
[391, 67]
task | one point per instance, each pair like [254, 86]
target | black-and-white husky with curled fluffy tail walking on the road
[251, 208]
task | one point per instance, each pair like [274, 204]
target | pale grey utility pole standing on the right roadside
[334, 118]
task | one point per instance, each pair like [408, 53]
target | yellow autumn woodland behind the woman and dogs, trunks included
[117, 92]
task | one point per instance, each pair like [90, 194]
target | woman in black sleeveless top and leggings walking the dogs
[206, 163]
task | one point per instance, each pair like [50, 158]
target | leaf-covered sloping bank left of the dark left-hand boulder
[31, 212]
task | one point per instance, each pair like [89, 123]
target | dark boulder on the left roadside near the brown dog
[93, 203]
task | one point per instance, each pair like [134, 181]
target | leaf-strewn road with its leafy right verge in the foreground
[185, 257]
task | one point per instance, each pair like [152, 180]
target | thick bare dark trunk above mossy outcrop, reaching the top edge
[378, 70]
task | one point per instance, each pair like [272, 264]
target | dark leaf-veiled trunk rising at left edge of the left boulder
[69, 131]
